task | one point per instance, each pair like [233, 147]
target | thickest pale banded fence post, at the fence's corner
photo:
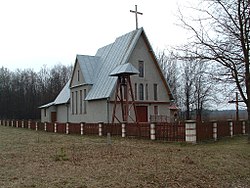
[190, 131]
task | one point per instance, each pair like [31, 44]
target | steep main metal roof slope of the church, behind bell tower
[112, 56]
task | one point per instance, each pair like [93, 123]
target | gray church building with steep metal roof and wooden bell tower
[92, 93]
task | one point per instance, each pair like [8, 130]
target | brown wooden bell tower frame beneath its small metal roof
[124, 96]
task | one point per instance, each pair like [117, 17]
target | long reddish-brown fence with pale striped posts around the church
[190, 131]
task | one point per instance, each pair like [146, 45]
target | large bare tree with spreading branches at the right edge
[221, 35]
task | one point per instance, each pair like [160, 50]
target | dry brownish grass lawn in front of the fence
[39, 159]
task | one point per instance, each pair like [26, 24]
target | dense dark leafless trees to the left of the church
[23, 91]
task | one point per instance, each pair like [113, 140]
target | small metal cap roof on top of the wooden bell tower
[127, 68]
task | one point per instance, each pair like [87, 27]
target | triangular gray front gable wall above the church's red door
[150, 77]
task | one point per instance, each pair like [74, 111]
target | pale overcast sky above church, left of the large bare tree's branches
[34, 33]
